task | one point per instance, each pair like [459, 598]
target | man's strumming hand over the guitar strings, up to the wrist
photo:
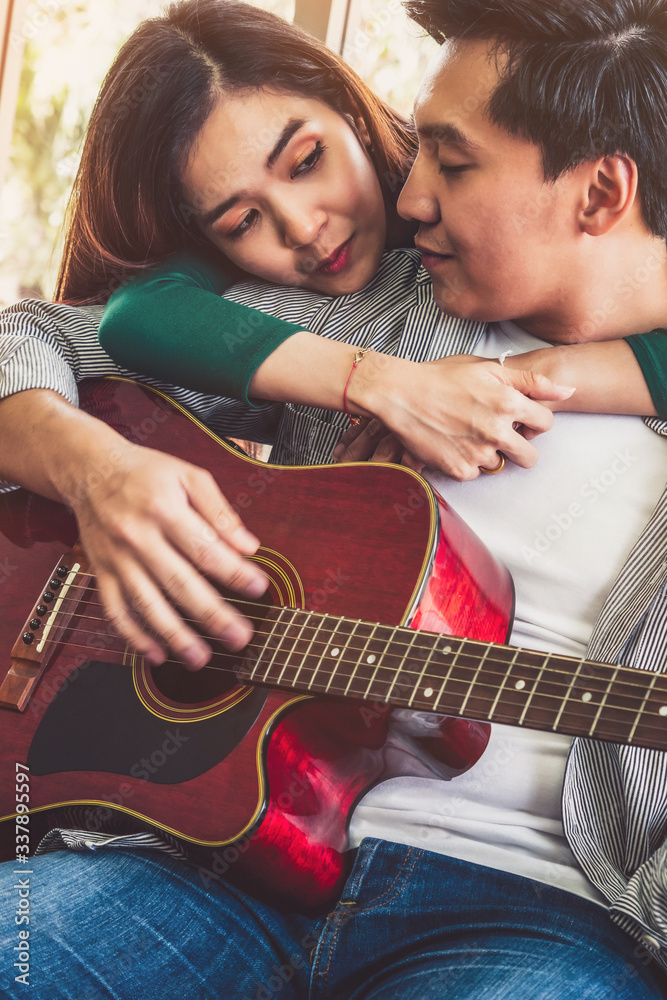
[150, 529]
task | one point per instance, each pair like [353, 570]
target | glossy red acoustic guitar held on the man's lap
[380, 598]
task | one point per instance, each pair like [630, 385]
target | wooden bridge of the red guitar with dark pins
[31, 652]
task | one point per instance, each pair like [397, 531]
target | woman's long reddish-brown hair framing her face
[127, 209]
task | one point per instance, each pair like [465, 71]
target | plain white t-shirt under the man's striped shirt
[564, 530]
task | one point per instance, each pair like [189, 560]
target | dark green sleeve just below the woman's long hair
[170, 323]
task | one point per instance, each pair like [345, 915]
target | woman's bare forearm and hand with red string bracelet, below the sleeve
[452, 415]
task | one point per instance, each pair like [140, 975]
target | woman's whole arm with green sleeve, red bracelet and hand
[173, 324]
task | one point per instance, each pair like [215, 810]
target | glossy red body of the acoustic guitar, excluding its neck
[252, 784]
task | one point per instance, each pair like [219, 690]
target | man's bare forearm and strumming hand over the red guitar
[151, 526]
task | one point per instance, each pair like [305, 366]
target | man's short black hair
[583, 79]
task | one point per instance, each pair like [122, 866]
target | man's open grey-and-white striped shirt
[614, 797]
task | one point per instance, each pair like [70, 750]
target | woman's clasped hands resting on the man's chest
[455, 415]
